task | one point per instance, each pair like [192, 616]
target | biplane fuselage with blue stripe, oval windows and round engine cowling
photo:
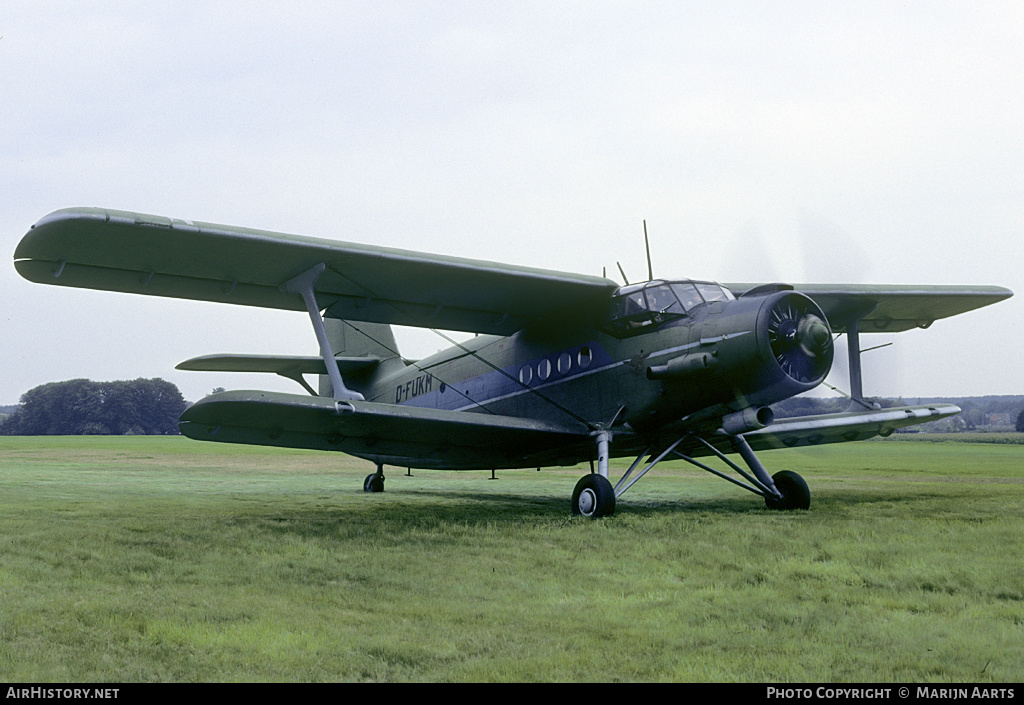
[638, 378]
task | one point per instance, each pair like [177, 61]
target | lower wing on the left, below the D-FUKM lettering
[403, 436]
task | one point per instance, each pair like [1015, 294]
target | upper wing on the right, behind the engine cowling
[884, 309]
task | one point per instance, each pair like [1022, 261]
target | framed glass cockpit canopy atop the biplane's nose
[637, 307]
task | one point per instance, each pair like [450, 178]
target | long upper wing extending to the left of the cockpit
[146, 255]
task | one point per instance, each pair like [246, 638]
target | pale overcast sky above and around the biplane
[801, 142]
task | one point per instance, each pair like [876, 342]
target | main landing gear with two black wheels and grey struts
[594, 496]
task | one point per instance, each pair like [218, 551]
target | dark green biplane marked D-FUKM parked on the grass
[566, 368]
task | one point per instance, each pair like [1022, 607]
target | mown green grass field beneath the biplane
[160, 559]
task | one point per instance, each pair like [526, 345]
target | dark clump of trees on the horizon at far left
[82, 407]
